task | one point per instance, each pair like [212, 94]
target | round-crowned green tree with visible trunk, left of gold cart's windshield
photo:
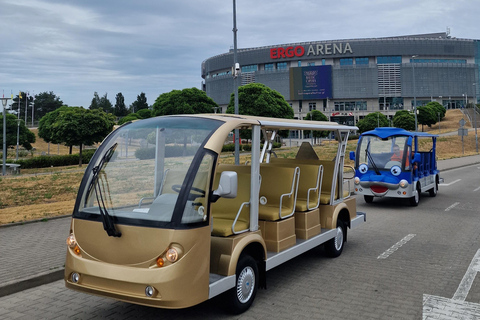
[76, 126]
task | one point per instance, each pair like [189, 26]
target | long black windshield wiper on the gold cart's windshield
[107, 220]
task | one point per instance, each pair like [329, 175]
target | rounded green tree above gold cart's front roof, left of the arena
[186, 101]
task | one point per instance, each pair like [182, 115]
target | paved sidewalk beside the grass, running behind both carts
[33, 254]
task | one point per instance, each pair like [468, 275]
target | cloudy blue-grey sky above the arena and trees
[74, 48]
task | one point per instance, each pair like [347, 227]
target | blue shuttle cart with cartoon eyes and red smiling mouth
[393, 162]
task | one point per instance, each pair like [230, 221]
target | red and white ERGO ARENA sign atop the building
[313, 50]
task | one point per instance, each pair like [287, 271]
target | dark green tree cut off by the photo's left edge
[26, 137]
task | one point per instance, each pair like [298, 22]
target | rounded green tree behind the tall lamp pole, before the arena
[257, 99]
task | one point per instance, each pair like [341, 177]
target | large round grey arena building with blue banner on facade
[347, 79]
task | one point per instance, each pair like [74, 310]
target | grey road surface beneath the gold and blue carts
[403, 263]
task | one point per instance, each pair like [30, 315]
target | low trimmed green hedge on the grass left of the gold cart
[55, 161]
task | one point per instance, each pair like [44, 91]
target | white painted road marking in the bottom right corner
[436, 307]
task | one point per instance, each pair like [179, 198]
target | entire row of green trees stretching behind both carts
[76, 126]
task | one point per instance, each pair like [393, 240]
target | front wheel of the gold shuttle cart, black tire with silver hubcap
[241, 297]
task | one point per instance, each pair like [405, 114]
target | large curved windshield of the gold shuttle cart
[152, 172]
